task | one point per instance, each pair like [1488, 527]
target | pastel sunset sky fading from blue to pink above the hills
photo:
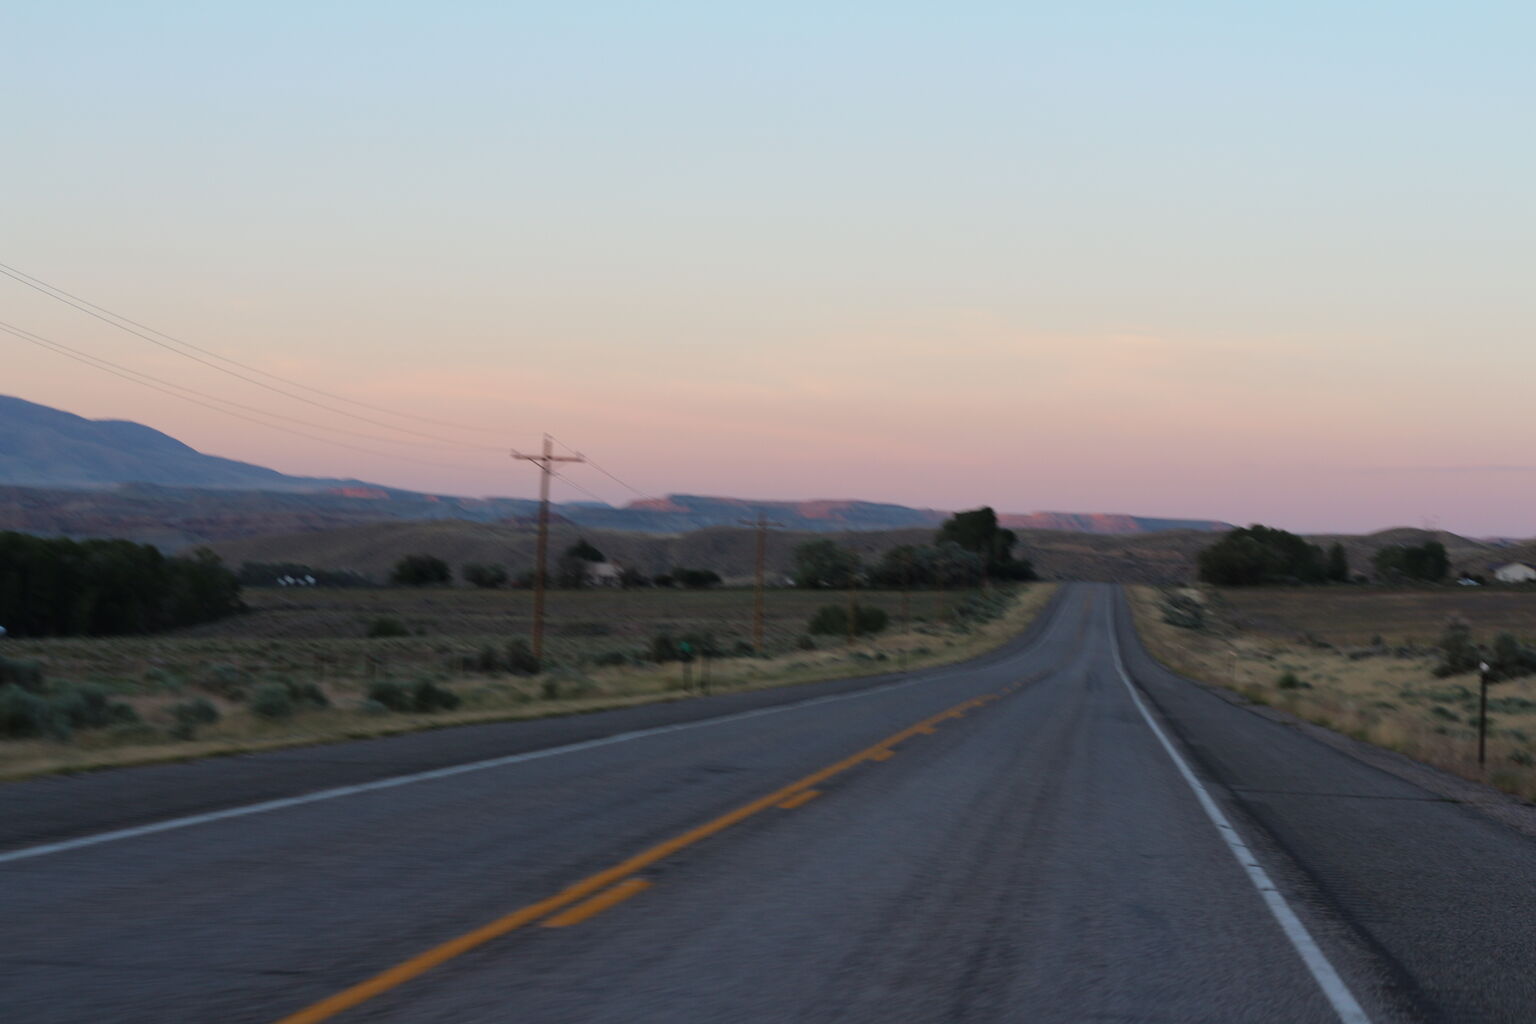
[1240, 262]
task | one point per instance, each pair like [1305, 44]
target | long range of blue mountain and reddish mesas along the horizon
[88, 478]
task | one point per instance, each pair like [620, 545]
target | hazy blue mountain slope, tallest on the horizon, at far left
[48, 448]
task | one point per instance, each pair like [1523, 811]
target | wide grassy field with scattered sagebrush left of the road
[597, 647]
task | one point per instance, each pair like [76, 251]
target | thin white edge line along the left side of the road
[170, 825]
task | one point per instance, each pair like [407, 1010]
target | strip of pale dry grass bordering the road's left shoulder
[316, 710]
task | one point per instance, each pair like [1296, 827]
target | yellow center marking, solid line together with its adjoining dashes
[594, 894]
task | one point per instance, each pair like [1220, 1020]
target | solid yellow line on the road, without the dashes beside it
[594, 885]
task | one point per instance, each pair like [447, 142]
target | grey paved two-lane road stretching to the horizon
[1010, 841]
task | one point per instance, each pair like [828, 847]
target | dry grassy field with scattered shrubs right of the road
[1326, 641]
